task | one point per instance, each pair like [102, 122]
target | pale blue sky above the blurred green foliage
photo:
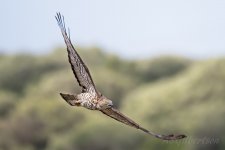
[130, 28]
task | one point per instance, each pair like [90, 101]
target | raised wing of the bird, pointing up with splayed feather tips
[80, 70]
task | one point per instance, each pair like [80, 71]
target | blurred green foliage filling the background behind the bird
[165, 94]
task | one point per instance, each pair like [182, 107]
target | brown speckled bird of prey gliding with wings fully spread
[90, 97]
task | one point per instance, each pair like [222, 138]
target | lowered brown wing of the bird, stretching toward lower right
[115, 114]
